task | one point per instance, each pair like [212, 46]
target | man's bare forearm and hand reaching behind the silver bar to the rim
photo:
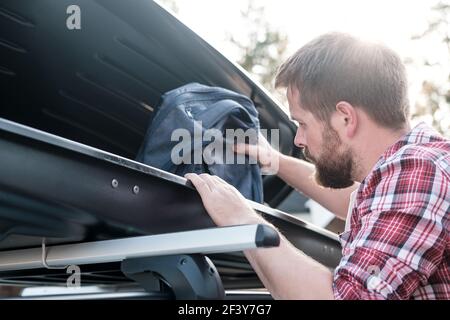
[285, 271]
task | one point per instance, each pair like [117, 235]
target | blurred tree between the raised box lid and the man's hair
[261, 47]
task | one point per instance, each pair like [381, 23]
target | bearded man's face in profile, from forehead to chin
[322, 146]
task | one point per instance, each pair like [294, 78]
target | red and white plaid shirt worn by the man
[398, 243]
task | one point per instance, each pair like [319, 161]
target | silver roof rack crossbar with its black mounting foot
[172, 262]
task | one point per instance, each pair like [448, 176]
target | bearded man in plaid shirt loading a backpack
[390, 181]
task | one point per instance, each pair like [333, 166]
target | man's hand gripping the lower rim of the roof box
[224, 203]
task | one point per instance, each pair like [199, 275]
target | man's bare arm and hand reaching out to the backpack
[300, 175]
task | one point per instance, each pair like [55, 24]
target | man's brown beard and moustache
[334, 167]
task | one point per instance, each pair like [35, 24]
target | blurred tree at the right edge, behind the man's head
[434, 107]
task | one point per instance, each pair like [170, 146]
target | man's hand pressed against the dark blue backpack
[267, 157]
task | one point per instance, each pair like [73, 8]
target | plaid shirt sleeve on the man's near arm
[399, 239]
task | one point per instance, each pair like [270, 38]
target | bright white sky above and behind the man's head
[392, 22]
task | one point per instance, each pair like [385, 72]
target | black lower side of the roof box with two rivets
[75, 192]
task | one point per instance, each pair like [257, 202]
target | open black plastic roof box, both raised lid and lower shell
[98, 86]
